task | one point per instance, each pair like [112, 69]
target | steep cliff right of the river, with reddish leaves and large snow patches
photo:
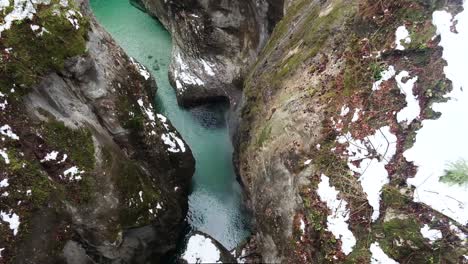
[352, 143]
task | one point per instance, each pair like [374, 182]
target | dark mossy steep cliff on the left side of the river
[89, 172]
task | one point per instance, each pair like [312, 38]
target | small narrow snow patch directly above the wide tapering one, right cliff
[412, 109]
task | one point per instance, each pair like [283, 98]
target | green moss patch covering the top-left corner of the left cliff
[33, 56]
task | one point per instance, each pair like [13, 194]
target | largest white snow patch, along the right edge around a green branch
[444, 141]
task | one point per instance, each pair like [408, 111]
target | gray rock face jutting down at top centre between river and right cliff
[214, 43]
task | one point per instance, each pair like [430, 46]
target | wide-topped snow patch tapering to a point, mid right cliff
[373, 175]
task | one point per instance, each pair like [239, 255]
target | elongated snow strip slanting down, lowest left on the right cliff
[336, 222]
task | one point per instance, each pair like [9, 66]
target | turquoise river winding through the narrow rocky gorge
[215, 205]
